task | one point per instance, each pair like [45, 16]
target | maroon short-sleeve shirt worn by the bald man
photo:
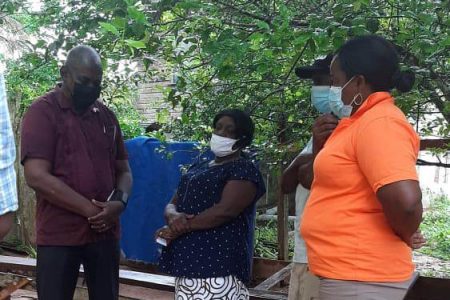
[83, 150]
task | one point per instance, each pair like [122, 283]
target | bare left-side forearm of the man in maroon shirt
[38, 176]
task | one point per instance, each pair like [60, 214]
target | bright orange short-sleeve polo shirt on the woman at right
[346, 232]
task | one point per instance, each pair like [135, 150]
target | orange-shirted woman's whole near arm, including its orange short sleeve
[386, 150]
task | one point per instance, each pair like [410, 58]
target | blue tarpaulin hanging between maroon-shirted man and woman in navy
[156, 173]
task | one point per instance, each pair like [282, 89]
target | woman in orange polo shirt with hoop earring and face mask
[365, 202]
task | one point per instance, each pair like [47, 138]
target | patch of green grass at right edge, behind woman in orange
[436, 228]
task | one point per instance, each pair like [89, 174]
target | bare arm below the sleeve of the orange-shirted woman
[402, 207]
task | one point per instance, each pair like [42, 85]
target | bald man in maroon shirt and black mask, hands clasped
[74, 158]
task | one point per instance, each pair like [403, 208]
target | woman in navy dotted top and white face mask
[209, 217]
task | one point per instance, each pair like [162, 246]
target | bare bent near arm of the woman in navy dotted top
[236, 196]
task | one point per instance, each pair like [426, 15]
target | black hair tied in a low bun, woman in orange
[377, 60]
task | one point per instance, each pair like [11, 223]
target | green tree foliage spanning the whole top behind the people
[242, 54]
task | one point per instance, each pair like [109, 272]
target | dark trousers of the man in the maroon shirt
[58, 266]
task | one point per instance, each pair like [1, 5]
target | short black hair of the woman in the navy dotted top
[245, 128]
